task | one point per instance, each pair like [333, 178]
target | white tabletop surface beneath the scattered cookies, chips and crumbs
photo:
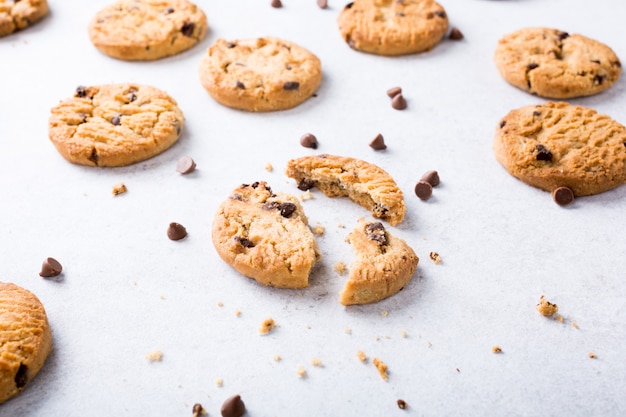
[127, 290]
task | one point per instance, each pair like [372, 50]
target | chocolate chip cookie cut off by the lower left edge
[25, 339]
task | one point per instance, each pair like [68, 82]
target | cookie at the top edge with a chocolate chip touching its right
[392, 27]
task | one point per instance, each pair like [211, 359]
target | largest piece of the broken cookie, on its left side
[265, 236]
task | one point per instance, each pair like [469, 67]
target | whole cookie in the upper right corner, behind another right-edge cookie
[553, 64]
